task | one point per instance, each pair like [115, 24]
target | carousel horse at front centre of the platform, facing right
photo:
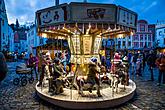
[89, 81]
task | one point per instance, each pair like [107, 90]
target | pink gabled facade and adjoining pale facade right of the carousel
[143, 38]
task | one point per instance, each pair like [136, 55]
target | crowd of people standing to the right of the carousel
[138, 61]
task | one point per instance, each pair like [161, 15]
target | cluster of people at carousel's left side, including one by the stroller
[55, 68]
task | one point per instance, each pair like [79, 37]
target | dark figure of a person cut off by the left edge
[3, 65]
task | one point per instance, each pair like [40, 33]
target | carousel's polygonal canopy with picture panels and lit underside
[85, 18]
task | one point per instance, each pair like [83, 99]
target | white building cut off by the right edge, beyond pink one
[160, 34]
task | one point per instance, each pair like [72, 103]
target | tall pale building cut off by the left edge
[3, 27]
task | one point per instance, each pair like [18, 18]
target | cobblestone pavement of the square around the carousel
[148, 96]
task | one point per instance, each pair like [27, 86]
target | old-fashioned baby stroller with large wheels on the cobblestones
[23, 71]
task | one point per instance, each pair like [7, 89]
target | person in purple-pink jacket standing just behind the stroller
[33, 63]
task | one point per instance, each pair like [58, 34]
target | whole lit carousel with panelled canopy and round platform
[87, 84]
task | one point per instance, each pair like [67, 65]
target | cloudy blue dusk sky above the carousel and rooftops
[24, 10]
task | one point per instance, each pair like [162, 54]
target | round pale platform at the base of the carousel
[72, 100]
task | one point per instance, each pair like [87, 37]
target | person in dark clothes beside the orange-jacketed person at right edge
[151, 63]
